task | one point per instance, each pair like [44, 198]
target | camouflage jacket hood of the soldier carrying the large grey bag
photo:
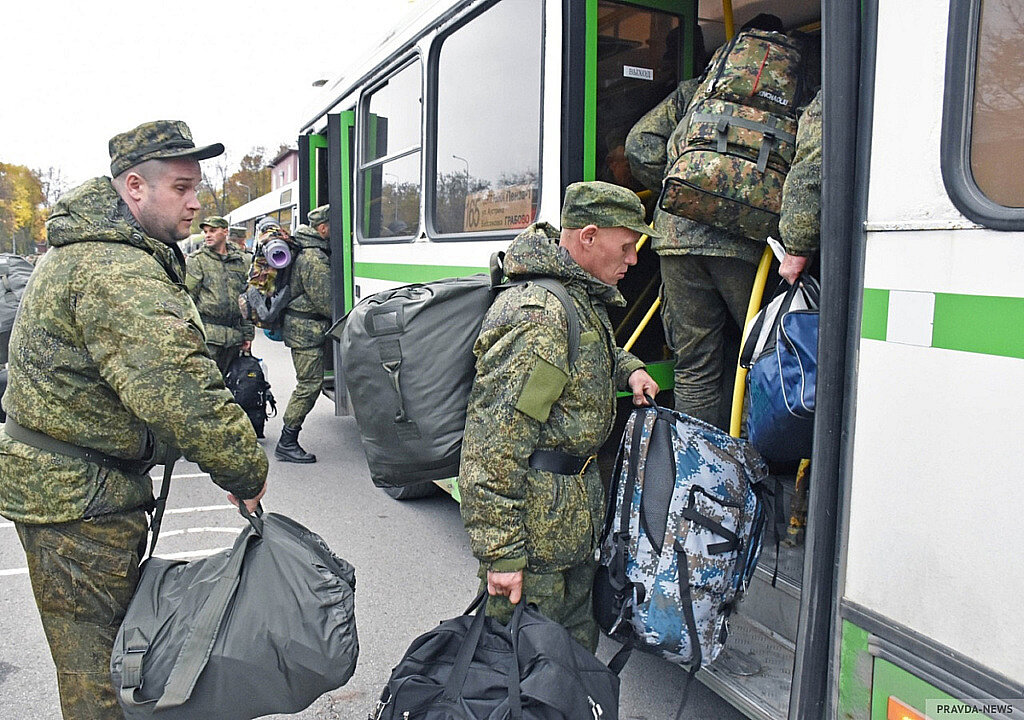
[536, 252]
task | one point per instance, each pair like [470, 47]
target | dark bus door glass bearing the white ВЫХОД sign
[638, 65]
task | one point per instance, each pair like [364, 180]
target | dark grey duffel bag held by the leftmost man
[266, 627]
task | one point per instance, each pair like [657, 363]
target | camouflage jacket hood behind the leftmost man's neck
[94, 213]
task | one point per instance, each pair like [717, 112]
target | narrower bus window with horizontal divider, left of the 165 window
[391, 160]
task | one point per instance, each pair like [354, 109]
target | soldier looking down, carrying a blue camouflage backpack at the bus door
[532, 498]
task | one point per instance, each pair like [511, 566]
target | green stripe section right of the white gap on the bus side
[993, 326]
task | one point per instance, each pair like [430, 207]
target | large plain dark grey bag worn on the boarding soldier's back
[409, 365]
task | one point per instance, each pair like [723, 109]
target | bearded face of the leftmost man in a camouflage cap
[168, 203]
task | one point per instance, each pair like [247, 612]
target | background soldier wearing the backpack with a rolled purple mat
[307, 321]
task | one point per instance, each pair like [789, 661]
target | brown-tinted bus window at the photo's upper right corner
[998, 118]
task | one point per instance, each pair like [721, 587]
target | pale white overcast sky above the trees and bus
[239, 73]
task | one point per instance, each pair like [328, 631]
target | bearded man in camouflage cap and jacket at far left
[109, 371]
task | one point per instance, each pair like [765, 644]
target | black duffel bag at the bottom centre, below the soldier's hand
[475, 668]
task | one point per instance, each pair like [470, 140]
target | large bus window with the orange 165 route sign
[488, 146]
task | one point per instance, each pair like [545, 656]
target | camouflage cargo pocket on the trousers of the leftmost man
[87, 579]
